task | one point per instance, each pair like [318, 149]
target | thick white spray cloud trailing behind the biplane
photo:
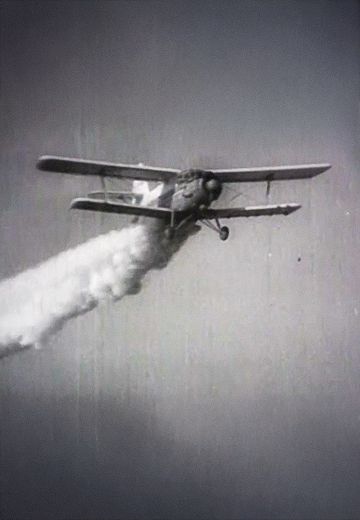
[37, 303]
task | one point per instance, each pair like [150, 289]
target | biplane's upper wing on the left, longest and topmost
[105, 169]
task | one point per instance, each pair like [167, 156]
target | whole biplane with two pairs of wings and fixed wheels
[181, 196]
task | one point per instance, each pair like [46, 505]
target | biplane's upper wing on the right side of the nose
[276, 173]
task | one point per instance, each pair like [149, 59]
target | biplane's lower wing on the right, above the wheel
[250, 211]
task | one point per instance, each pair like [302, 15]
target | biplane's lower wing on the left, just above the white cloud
[107, 206]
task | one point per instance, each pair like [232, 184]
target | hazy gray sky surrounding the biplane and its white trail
[228, 387]
